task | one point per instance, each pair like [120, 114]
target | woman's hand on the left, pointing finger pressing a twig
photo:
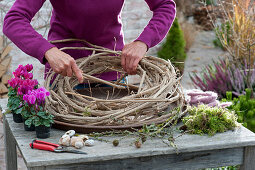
[63, 63]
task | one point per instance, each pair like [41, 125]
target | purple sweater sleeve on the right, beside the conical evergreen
[164, 12]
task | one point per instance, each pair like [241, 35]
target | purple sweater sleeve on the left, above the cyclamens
[18, 29]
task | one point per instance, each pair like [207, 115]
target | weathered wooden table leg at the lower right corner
[249, 156]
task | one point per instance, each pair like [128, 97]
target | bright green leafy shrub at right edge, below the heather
[244, 107]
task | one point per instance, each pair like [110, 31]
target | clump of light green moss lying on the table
[209, 120]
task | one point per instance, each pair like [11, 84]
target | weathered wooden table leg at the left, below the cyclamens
[10, 148]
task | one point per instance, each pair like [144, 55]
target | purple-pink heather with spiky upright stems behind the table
[222, 76]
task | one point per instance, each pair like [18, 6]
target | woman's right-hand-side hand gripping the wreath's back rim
[131, 55]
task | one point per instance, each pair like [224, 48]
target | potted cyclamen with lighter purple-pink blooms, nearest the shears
[36, 113]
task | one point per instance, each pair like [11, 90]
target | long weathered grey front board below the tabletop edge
[182, 161]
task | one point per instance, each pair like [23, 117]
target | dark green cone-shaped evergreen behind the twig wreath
[174, 47]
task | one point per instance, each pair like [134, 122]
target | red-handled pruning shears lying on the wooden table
[47, 146]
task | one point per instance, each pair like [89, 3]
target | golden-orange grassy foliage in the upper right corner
[236, 33]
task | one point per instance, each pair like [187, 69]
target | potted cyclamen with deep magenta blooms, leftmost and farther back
[18, 86]
